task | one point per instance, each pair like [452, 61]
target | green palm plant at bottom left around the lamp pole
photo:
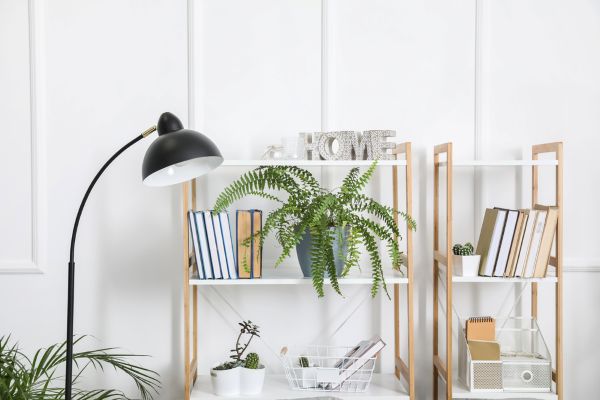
[40, 377]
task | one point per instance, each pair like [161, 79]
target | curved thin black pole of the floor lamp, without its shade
[71, 287]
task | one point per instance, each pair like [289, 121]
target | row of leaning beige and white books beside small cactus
[516, 243]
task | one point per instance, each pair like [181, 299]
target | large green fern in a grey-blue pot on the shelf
[326, 227]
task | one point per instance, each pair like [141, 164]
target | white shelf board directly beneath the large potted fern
[291, 275]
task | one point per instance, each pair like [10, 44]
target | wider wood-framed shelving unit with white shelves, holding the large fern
[382, 387]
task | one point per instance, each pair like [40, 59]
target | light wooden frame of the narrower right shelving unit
[442, 259]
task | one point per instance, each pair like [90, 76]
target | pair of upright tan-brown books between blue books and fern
[249, 254]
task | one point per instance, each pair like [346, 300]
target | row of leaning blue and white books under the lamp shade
[213, 245]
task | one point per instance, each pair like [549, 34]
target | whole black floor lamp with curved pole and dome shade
[177, 155]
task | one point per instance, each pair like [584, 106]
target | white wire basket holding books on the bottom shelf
[327, 368]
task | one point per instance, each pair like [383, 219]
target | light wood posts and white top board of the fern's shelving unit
[404, 368]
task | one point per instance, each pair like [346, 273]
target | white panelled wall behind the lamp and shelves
[79, 79]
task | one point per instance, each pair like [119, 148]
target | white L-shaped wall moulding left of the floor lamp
[37, 262]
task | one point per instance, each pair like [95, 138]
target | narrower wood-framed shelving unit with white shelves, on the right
[442, 271]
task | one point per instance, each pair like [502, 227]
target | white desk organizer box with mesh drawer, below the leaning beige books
[525, 363]
